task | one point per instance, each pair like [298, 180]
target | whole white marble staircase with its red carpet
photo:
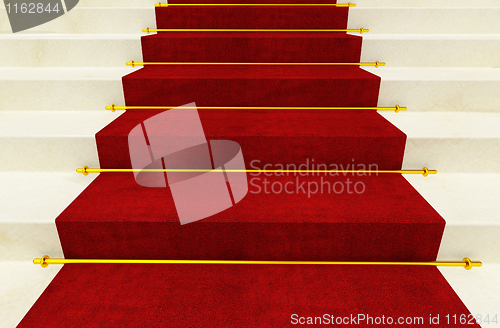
[441, 63]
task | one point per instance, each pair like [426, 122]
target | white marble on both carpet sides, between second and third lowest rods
[62, 141]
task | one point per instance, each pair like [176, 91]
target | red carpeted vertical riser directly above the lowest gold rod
[342, 242]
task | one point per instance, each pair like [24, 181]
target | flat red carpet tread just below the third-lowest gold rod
[229, 123]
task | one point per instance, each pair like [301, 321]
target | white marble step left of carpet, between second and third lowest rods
[50, 141]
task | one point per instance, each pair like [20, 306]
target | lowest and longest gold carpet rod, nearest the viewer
[46, 260]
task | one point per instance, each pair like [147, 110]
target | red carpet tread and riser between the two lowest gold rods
[322, 226]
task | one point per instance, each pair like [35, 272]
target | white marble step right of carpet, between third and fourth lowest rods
[440, 89]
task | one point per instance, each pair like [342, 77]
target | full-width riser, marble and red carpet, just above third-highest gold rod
[446, 52]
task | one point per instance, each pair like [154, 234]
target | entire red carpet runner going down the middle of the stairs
[389, 221]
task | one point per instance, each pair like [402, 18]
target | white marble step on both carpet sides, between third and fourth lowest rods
[91, 89]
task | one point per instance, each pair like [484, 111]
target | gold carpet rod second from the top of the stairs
[152, 30]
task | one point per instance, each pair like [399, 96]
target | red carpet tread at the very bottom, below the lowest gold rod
[229, 295]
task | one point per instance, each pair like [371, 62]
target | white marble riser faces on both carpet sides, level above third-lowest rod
[431, 94]
